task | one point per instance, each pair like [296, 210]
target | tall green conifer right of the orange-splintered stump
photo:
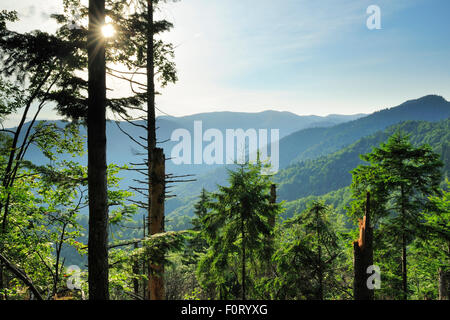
[401, 177]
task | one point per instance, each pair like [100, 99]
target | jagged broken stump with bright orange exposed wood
[363, 257]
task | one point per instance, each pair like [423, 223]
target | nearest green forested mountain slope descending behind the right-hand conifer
[332, 172]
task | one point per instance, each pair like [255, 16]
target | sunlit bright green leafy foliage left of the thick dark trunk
[43, 204]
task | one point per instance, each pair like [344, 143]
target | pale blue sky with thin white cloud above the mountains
[303, 56]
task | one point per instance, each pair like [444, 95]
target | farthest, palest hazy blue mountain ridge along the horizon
[121, 150]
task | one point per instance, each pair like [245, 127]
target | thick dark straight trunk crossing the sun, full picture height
[97, 178]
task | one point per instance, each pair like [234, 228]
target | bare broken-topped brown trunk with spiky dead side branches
[156, 222]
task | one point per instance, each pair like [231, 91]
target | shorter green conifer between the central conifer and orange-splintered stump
[309, 254]
